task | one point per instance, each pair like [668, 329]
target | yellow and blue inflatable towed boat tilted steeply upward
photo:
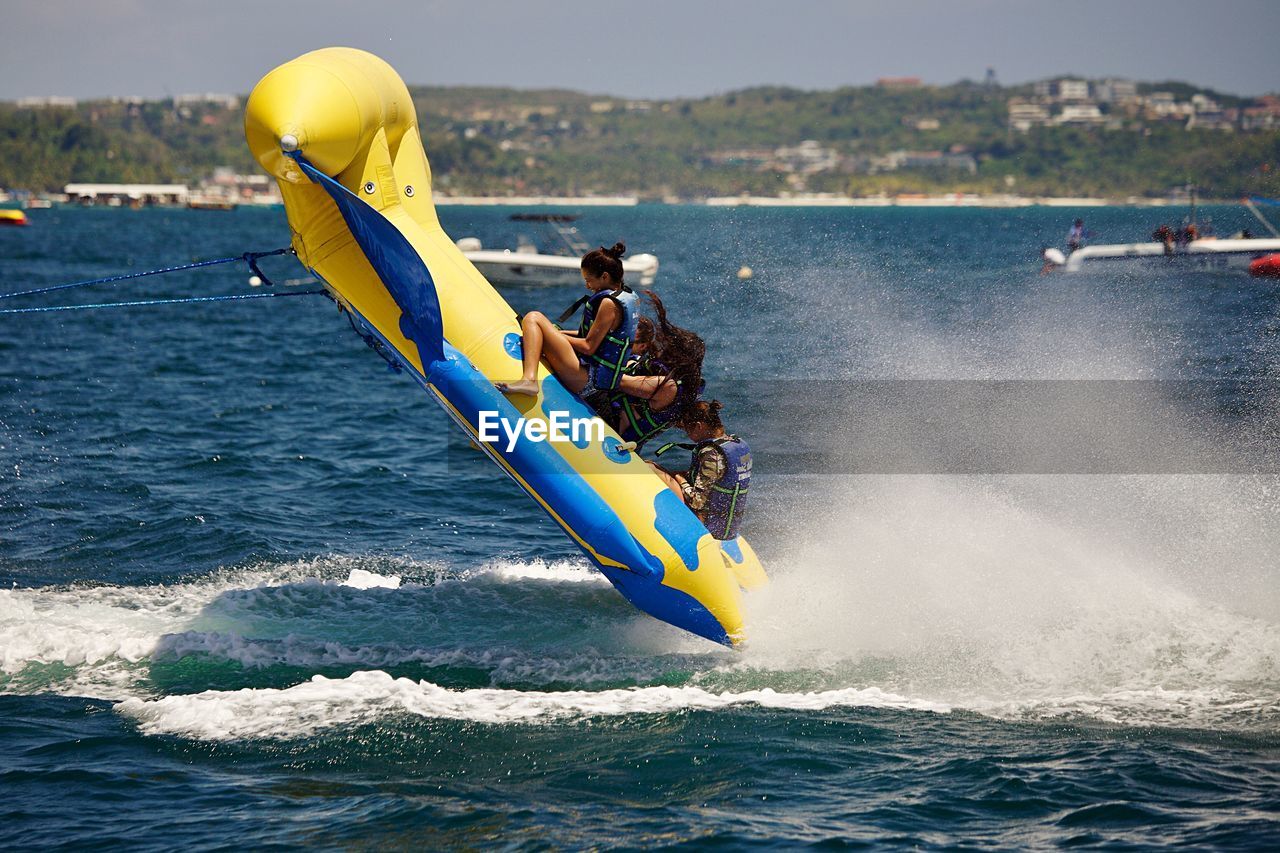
[339, 131]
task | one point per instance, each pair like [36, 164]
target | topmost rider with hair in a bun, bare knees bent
[591, 361]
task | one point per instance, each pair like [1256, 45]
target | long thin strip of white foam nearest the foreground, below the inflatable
[369, 696]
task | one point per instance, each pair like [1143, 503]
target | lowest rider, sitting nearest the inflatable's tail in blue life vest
[717, 482]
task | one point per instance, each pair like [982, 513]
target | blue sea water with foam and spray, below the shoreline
[254, 591]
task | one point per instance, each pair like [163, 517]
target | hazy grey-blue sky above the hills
[642, 48]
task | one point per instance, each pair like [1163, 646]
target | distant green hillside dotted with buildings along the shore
[863, 140]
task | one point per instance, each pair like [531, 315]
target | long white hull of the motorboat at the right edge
[1206, 253]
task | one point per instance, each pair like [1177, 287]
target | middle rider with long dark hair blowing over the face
[661, 382]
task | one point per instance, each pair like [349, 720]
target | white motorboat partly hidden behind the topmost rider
[560, 264]
